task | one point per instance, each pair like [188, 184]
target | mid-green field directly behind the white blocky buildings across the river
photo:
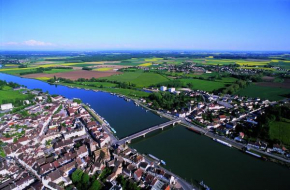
[199, 84]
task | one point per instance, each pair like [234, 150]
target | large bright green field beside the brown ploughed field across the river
[139, 78]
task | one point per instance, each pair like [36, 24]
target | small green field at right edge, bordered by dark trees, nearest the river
[280, 130]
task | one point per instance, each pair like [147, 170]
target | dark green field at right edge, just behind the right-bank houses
[270, 93]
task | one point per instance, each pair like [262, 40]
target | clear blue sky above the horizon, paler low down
[260, 25]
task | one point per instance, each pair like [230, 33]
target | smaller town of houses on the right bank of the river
[228, 116]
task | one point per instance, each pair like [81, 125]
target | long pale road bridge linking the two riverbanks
[144, 132]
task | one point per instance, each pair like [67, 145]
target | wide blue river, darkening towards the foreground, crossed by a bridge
[187, 154]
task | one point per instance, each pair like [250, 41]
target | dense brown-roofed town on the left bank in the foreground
[57, 144]
